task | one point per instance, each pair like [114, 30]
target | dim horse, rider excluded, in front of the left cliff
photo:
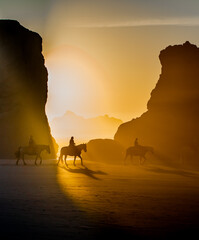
[33, 150]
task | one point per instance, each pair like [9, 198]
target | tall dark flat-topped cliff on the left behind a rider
[23, 92]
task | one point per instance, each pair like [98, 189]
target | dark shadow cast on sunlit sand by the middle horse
[84, 170]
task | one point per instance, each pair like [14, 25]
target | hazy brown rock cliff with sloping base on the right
[171, 123]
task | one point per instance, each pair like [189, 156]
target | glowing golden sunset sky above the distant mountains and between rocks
[102, 55]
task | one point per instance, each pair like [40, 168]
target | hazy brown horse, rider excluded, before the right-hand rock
[138, 151]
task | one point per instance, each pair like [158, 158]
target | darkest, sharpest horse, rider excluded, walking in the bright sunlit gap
[74, 151]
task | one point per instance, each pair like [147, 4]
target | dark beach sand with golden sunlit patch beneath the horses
[98, 201]
